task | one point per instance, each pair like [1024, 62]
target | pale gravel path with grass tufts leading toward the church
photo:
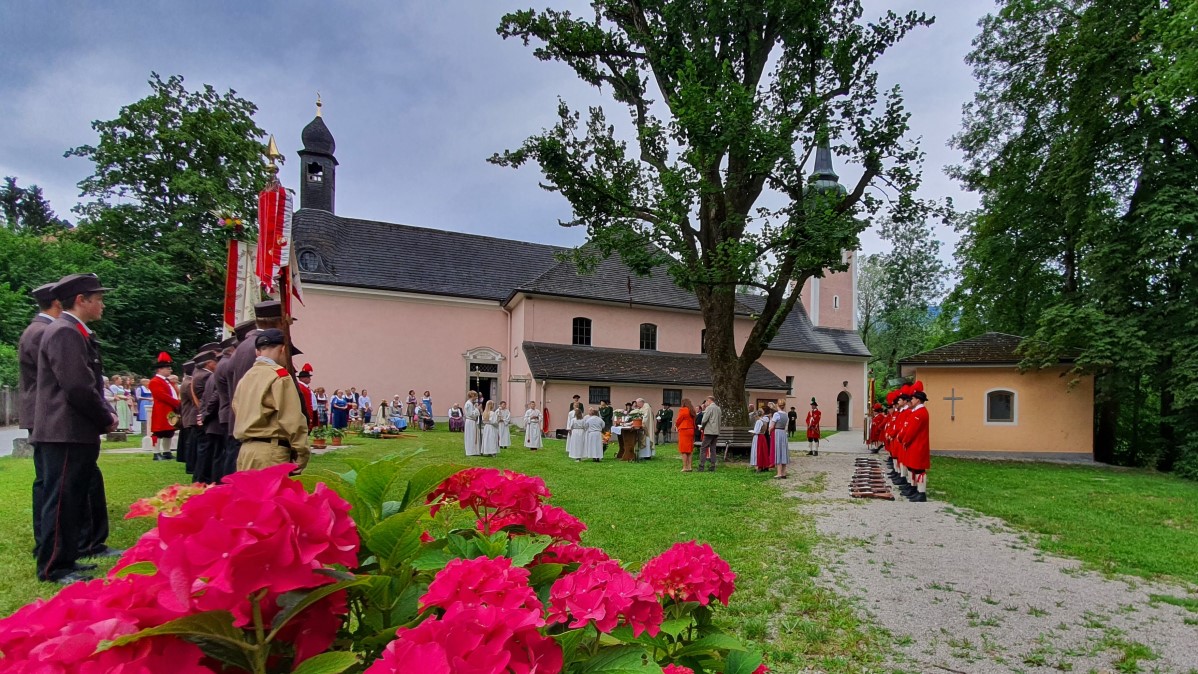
[964, 593]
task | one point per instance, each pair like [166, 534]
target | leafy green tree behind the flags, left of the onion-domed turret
[162, 166]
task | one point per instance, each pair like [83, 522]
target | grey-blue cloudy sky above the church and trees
[418, 94]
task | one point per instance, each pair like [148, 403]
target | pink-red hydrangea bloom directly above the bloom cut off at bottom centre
[470, 584]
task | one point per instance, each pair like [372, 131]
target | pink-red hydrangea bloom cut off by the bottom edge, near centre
[475, 641]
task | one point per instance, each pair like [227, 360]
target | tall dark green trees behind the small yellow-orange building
[1086, 235]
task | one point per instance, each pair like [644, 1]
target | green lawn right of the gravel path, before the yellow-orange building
[1117, 521]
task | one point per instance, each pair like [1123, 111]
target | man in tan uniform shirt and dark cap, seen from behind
[269, 418]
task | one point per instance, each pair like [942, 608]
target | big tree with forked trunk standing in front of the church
[727, 102]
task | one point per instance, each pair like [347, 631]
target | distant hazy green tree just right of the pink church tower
[899, 292]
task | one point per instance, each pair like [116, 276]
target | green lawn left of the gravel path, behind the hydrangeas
[633, 511]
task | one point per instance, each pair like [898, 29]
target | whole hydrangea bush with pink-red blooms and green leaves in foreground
[261, 575]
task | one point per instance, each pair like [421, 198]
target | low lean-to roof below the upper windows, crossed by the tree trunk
[631, 367]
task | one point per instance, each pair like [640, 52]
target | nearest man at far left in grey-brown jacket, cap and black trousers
[70, 415]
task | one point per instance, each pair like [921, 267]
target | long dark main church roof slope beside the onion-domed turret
[402, 258]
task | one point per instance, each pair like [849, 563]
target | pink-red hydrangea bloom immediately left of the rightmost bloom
[606, 593]
